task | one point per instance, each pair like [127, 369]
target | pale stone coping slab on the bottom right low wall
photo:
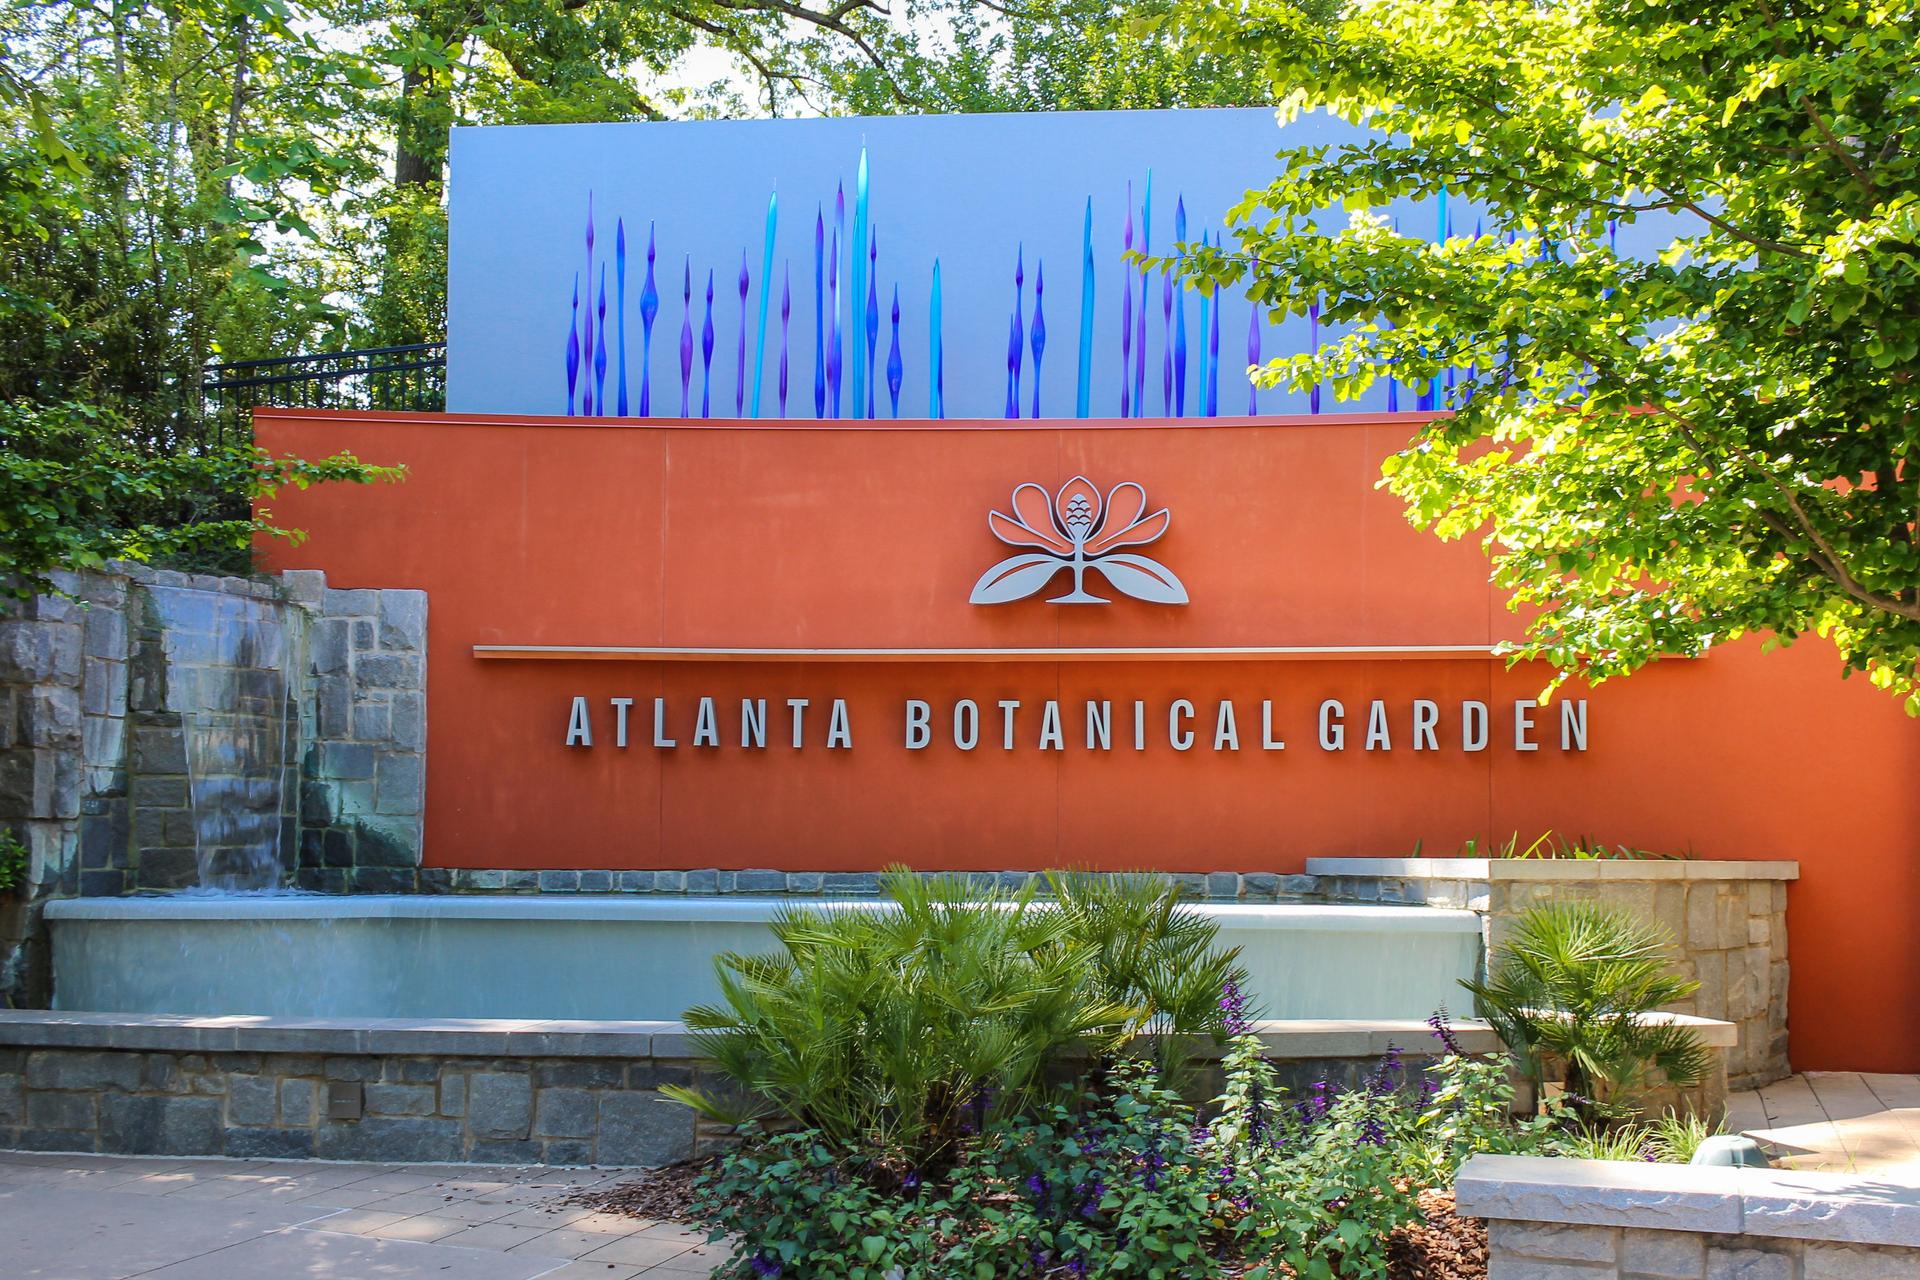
[1725, 1202]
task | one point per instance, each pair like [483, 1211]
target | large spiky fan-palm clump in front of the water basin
[896, 1030]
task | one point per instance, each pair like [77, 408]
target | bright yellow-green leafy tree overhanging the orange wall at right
[1662, 456]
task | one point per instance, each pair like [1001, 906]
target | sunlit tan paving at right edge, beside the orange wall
[1836, 1122]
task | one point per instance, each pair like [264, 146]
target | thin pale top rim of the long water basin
[679, 909]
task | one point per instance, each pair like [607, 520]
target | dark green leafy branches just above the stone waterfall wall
[76, 494]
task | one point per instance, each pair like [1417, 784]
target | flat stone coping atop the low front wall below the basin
[475, 1037]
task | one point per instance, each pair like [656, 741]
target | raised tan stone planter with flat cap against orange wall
[1727, 920]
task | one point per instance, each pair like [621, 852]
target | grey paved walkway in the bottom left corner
[103, 1218]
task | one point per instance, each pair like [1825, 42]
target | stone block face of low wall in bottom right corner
[1556, 1252]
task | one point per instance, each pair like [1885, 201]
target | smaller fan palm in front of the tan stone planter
[1575, 987]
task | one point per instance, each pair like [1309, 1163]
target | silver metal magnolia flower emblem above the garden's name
[1080, 533]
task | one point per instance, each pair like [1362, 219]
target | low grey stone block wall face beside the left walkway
[347, 1106]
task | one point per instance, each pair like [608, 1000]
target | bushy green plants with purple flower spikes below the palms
[1126, 1179]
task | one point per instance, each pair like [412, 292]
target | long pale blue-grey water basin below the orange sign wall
[631, 959]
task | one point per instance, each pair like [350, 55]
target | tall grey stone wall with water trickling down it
[297, 711]
